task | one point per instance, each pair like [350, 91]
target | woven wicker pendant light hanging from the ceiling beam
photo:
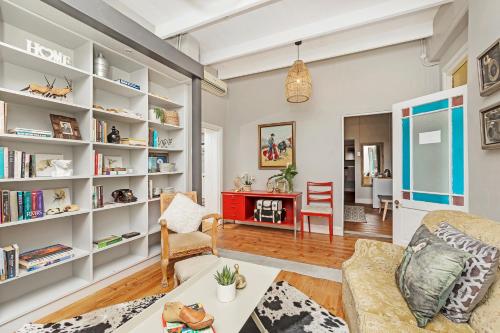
[298, 85]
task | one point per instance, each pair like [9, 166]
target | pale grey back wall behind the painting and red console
[366, 82]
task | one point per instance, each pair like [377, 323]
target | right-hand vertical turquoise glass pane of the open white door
[457, 150]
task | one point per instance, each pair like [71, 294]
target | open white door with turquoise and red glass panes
[430, 158]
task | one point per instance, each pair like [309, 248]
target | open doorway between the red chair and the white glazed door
[368, 175]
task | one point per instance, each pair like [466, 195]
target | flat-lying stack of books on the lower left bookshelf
[49, 255]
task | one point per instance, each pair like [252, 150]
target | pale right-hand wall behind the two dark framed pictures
[484, 174]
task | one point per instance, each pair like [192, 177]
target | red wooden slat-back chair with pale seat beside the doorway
[318, 192]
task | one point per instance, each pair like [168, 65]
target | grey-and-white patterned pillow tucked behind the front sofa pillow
[477, 277]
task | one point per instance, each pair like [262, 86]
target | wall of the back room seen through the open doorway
[369, 129]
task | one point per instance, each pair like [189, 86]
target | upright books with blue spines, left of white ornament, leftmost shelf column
[21, 205]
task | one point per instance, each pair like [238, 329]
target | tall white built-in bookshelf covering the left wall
[32, 290]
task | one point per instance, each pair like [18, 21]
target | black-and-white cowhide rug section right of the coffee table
[285, 309]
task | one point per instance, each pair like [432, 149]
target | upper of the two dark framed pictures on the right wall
[489, 69]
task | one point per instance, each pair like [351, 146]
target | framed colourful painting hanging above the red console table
[276, 145]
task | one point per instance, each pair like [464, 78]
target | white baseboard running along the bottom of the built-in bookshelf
[76, 296]
